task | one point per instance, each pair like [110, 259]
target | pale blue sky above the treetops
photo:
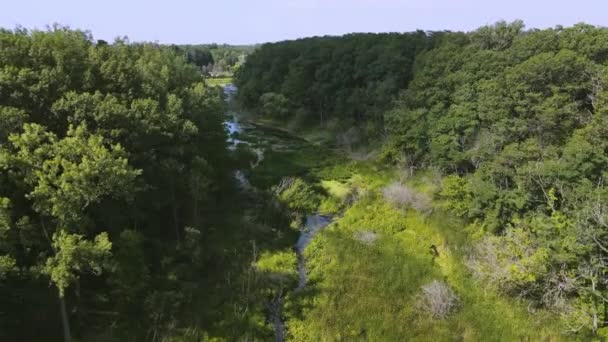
[253, 21]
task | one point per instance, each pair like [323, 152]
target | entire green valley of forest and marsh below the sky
[427, 186]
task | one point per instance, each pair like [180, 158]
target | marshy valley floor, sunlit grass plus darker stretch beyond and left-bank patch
[367, 269]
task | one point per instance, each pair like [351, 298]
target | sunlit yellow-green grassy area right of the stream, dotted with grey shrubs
[360, 291]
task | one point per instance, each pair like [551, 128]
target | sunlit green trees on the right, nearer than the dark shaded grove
[515, 115]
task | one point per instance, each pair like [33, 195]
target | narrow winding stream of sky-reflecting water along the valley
[313, 223]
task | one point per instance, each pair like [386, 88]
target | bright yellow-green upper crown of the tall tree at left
[71, 173]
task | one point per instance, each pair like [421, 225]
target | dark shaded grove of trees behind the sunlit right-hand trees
[353, 77]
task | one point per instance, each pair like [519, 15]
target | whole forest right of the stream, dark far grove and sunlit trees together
[511, 123]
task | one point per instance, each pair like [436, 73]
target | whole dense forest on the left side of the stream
[119, 216]
